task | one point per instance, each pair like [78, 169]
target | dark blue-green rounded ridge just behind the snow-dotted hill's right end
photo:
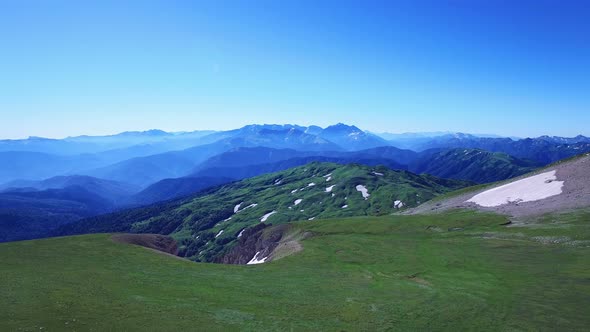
[471, 164]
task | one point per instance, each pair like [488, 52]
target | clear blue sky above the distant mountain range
[518, 68]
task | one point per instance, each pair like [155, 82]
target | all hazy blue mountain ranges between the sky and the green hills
[52, 182]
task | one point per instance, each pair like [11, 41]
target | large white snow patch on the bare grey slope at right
[530, 189]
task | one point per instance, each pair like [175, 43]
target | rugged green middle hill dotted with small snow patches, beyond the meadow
[208, 225]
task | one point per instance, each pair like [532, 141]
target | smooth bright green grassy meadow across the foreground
[457, 271]
